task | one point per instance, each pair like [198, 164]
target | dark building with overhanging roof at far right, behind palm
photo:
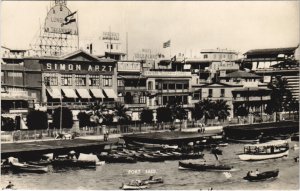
[273, 62]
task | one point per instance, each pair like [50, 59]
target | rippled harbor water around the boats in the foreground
[111, 176]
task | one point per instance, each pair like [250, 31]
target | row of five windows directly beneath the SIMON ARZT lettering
[80, 80]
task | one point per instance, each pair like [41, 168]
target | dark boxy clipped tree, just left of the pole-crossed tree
[37, 120]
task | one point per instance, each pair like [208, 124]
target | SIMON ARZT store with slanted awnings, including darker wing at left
[73, 80]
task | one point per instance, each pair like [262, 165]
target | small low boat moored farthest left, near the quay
[23, 167]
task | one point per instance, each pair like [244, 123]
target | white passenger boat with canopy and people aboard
[263, 151]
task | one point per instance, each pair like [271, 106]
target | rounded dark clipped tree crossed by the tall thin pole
[67, 118]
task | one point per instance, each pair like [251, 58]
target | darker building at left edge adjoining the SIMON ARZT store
[15, 98]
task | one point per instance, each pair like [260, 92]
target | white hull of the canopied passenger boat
[257, 157]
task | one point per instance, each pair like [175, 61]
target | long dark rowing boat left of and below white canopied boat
[204, 167]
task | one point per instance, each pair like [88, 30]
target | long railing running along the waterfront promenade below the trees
[48, 134]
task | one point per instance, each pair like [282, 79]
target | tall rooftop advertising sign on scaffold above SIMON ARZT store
[59, 33]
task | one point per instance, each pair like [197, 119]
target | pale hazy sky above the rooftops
[192, 25]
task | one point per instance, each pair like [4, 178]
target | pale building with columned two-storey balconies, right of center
[168, 82]
